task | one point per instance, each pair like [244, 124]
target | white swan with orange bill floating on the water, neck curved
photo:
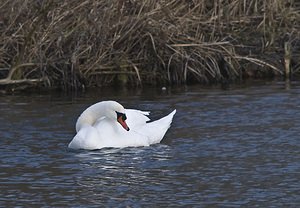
[109, 124]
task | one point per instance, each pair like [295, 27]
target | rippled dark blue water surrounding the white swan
[226, 148]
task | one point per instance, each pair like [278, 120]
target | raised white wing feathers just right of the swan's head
[136, 117]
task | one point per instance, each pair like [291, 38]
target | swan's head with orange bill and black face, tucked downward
[116, 111]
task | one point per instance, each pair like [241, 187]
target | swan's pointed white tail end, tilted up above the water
[159, 128]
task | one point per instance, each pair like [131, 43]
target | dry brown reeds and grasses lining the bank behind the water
[83, 43]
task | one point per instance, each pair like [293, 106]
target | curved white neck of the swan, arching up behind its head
[91, 115]
